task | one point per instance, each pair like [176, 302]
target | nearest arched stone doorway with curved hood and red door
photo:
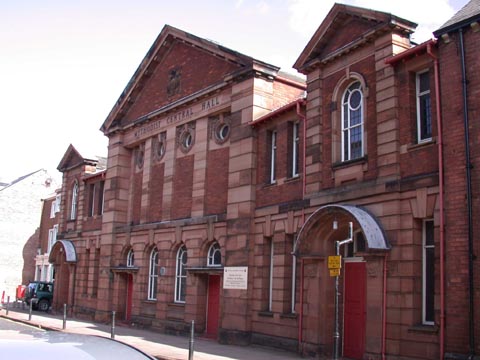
[361, 270]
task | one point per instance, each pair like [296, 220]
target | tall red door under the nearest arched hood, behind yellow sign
[354, 310]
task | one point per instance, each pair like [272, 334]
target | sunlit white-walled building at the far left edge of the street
[20, 209]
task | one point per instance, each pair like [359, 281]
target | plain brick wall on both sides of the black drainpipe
[456, 214]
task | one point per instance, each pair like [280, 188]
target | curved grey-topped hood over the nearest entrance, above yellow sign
[369, 224]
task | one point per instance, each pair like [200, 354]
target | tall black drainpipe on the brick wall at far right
[468, 166]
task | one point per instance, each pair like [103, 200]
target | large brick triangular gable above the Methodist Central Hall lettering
[178, 65]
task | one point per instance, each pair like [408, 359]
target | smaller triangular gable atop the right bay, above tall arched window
[344, 28]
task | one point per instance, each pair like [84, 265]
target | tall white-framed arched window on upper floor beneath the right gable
[352, 122]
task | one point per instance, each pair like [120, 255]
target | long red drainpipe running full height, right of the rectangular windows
[441, 198]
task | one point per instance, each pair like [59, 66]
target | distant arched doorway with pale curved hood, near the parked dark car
[64, 258]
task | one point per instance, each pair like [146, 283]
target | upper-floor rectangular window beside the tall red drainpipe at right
[424, 114]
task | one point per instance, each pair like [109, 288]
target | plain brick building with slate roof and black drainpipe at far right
[459, 72]
